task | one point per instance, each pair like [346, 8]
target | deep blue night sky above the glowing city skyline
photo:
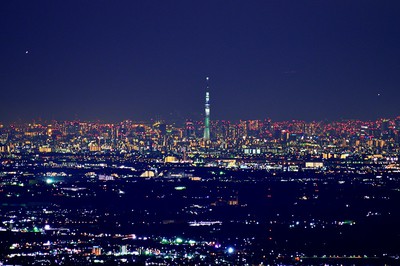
[116, 60]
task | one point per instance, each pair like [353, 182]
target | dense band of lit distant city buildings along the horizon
[197, 140]
